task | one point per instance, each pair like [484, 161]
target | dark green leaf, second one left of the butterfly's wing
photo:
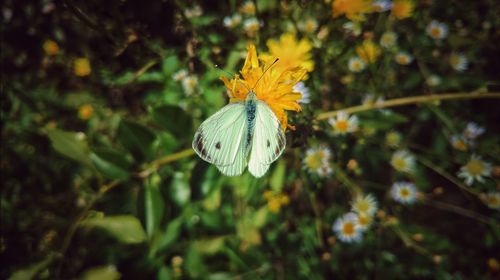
[136, 138]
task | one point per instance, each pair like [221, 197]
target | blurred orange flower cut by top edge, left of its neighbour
[352, 9]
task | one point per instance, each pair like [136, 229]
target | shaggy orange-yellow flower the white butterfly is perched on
[275, 86]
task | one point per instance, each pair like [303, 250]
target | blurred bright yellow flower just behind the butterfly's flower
[291, 53]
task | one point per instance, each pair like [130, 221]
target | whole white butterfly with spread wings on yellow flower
[241, 134]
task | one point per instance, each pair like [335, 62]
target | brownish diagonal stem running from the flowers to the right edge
[408, 101]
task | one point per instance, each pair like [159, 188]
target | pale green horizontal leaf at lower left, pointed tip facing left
[126, 229]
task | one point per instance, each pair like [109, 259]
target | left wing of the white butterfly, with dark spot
[218, 140]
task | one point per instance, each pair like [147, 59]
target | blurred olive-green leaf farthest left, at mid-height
[70, 144]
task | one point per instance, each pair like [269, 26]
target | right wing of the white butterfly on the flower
[268, 141]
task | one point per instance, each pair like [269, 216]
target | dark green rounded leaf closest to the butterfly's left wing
[173, 119]
